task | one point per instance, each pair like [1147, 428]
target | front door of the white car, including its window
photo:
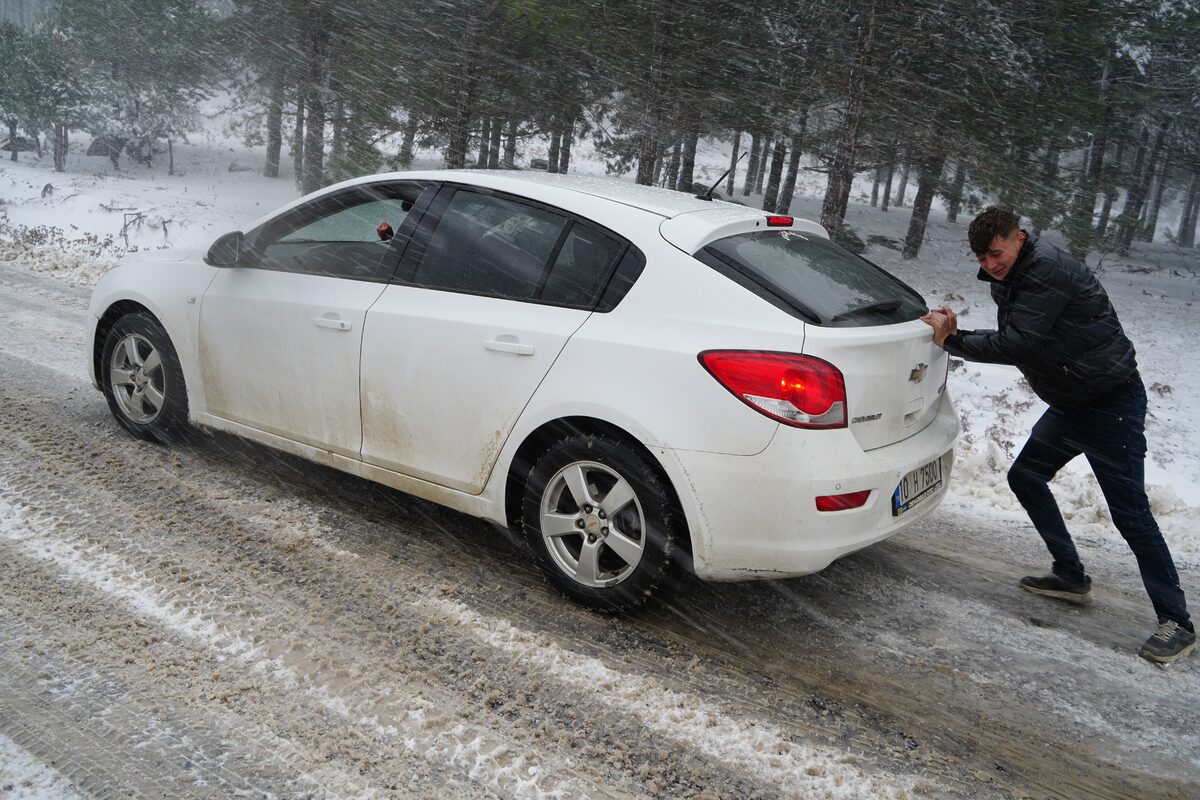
[280, 338]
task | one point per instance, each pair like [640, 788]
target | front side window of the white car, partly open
[339, 236]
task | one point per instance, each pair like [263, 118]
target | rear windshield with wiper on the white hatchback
[814, 279]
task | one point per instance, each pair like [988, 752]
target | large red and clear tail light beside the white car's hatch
[797, 390]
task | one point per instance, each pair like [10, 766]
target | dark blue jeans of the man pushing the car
[1112, 435]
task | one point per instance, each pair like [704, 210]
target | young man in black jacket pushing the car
[1059, 328]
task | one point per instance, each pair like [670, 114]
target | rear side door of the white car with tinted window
[482, 308]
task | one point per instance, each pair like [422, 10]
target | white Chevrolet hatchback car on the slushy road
[617, 372]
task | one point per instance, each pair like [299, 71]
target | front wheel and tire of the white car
[143, 381]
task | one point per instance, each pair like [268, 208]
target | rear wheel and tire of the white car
[601, 521]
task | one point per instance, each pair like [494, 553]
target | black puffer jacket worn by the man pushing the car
[1057, 326]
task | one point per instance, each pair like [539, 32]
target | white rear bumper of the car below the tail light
[757, 518]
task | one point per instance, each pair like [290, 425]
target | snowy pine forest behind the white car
[1083, 115]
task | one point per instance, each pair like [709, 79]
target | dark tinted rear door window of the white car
[490, 245]
